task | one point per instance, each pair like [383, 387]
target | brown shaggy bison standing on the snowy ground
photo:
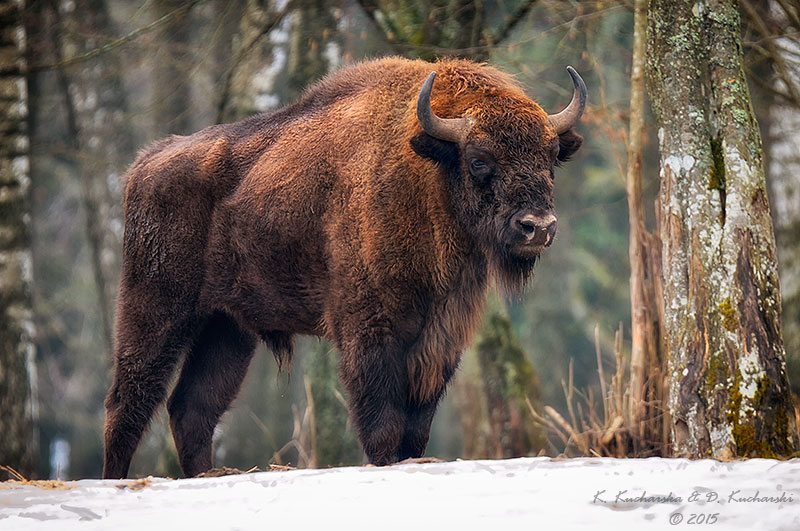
[373, 212]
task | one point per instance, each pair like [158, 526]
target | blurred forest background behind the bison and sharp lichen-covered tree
[108, 77]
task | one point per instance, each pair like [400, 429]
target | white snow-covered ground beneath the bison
[529, 493]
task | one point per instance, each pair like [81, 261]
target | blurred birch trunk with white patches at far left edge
[17, 369]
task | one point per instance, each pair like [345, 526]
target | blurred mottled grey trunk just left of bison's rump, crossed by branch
[100, 142]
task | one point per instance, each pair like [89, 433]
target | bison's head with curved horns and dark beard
[500, 152]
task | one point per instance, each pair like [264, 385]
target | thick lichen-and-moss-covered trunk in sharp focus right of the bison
[729, 392]
